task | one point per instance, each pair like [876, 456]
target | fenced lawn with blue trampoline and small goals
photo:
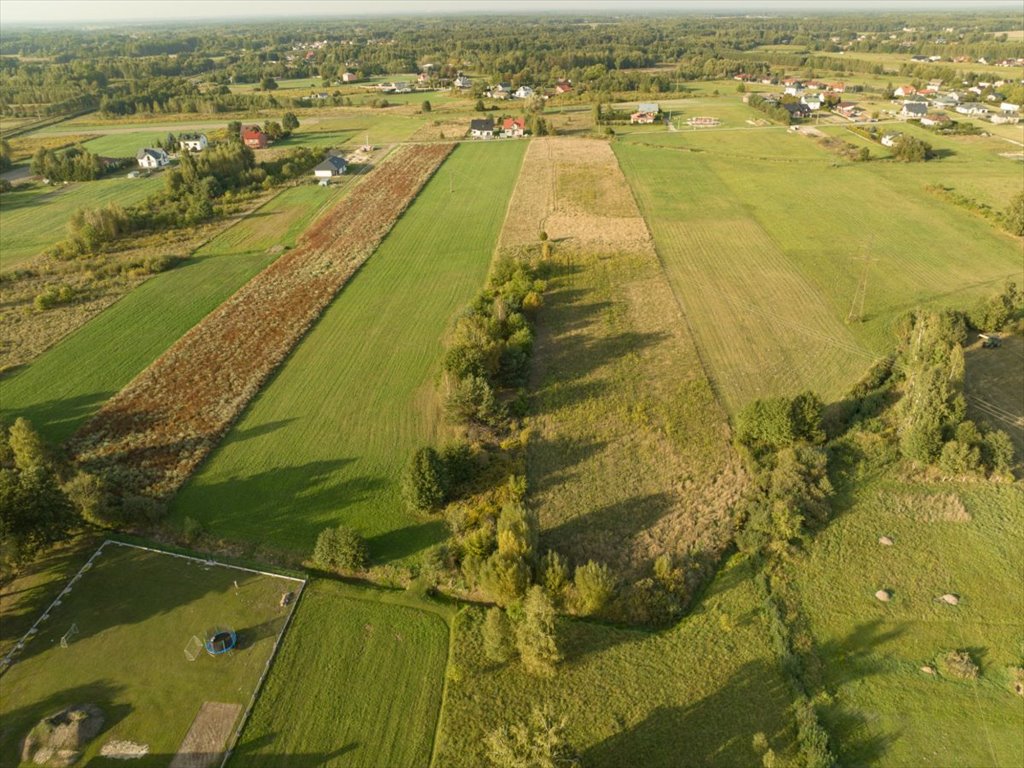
[137, 612]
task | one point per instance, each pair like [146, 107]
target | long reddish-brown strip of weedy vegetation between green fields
[151, 437]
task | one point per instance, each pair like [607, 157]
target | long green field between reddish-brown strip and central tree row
[327, 440]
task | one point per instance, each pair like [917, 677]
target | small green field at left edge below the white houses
[33, 220]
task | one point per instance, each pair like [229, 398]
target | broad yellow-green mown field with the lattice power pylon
[799, 288]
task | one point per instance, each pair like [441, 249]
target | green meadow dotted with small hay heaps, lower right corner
[960, 539]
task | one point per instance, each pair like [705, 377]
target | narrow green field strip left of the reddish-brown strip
[67, 385]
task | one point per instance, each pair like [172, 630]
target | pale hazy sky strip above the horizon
[108, 12]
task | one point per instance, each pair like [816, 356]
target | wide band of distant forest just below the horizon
[180, 69]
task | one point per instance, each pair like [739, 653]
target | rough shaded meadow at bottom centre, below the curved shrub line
[694, 695]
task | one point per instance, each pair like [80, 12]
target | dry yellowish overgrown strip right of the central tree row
[630, 456]
